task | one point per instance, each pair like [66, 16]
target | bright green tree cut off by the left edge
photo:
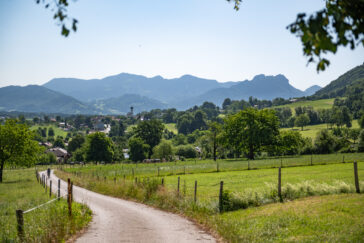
[17, 146]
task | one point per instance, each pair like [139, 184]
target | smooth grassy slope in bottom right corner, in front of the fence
[333, 218]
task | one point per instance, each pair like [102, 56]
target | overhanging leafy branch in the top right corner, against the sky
[340, 23]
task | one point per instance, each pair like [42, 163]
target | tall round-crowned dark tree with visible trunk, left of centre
[150, 132]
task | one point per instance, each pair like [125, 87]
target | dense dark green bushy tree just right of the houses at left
[99, 147]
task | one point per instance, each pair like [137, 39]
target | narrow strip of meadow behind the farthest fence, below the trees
[208, 166]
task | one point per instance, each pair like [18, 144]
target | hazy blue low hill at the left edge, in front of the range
[34, 98]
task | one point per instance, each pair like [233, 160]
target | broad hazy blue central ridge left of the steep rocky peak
[164, 90]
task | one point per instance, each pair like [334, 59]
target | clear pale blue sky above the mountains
[205, 38]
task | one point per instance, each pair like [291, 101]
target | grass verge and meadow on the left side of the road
[50, 223]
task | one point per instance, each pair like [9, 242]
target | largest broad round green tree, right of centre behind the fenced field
[251, 129]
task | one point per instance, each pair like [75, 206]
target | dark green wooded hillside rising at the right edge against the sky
[344, 85]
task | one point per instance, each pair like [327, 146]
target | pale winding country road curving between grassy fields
[118, 220]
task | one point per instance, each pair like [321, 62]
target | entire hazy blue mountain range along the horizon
[116, 94]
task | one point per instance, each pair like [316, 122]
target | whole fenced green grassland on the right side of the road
[308, 219]
